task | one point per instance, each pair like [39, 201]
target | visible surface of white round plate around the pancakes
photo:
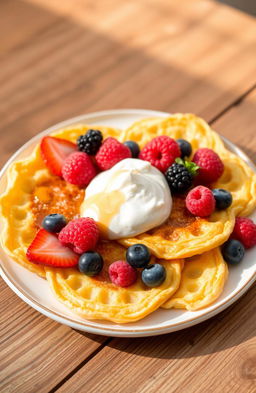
[36, 292]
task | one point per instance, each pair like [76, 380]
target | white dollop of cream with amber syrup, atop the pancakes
[128, 199]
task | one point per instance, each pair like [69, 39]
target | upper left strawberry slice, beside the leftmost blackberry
[54, 152]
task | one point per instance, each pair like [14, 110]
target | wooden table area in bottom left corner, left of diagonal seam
[35, 352]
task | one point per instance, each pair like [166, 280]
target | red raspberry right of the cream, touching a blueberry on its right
[200, 201]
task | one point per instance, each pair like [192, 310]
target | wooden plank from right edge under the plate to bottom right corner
[215, 356]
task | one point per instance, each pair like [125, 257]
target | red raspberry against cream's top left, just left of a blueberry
[110, 153]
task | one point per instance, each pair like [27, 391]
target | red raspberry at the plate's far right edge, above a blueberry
[245, 231]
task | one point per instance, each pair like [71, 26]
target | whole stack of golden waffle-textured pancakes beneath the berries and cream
[188, 247]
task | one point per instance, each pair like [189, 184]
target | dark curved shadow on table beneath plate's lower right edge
[214, 335]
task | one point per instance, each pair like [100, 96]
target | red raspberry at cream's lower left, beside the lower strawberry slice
[81, 234]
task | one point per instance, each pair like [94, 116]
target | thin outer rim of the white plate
[115, 331]
